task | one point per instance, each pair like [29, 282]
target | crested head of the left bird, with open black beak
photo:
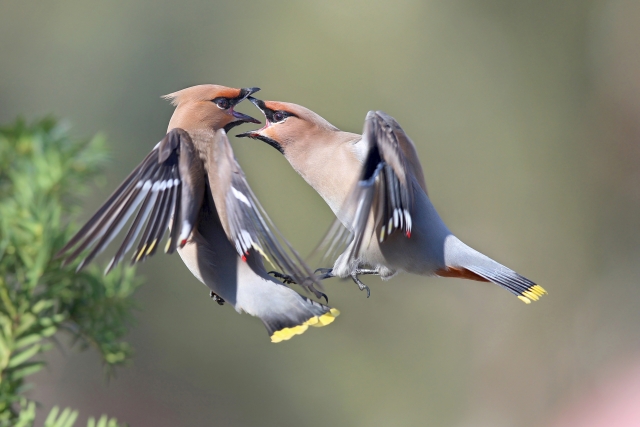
[207, 107]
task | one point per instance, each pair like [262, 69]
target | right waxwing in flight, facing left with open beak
[375, 185]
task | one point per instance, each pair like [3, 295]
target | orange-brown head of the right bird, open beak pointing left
[289, 127]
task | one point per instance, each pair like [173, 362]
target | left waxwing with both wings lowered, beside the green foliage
[191, 185]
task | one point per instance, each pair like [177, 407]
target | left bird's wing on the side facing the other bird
[244, 220]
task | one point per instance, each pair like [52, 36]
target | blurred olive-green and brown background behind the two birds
[526, 116]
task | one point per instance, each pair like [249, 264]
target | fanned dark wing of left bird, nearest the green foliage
[166, 190]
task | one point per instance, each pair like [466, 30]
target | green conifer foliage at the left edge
[43, 174]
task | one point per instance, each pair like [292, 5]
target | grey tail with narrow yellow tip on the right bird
[463, 261]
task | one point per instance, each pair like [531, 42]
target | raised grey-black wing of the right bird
[381, 202]
